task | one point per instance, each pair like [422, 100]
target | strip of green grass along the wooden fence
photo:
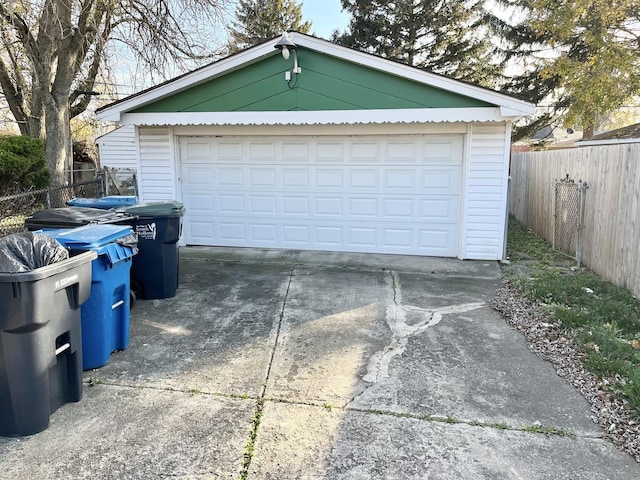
[603, 319]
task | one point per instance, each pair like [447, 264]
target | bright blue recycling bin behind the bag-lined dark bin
[105, 315]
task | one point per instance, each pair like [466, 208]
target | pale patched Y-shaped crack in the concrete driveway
[396, 317]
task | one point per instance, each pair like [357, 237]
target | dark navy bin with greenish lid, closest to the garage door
[154, 271]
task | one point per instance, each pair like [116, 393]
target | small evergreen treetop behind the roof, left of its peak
[259, 20]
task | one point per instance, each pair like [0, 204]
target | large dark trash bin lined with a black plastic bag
[41, 342]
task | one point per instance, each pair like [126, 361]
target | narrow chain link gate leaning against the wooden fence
[569, 202]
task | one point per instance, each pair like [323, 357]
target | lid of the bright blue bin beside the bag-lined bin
[99, 238]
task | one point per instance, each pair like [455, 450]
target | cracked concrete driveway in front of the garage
[294, 365]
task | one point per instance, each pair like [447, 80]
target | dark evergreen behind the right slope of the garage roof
[444, 36]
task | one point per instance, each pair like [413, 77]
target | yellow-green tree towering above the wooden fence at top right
[580, 57]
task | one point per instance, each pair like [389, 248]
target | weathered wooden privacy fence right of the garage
[611, 234]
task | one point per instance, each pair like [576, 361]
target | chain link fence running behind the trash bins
[14, 209]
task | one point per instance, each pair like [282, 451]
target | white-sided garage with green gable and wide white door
[345, 152]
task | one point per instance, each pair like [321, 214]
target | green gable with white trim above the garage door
[337, 85]
